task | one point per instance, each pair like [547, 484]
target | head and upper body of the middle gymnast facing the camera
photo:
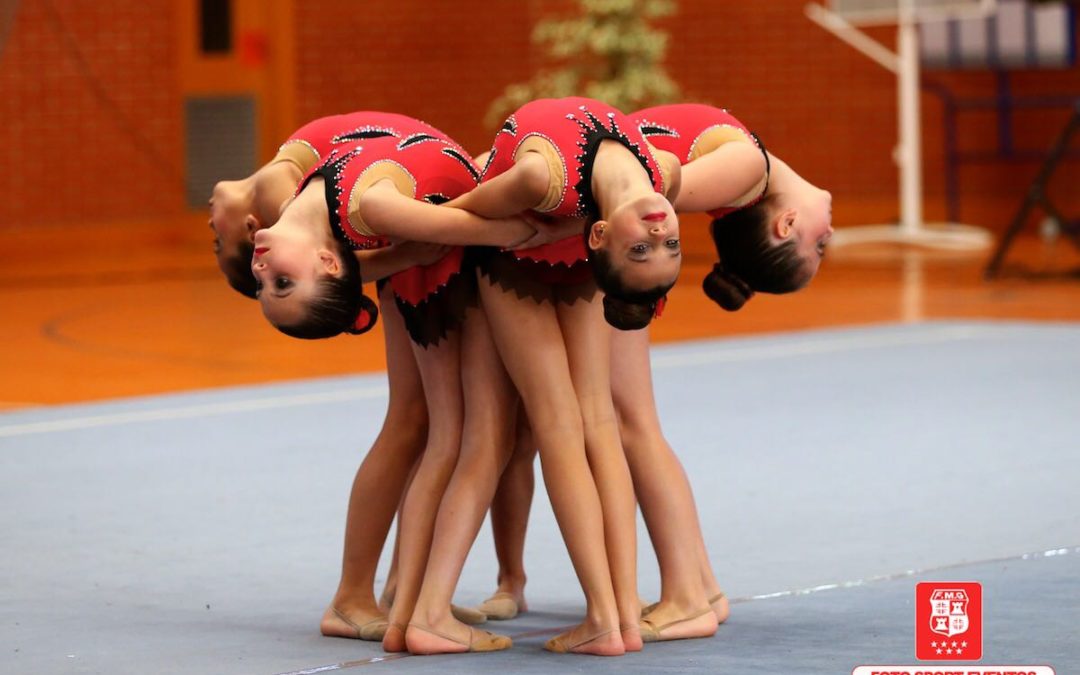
[589, 161]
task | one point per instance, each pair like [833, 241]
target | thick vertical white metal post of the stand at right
[910, 153]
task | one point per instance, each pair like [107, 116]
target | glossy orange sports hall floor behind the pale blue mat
[100, 312]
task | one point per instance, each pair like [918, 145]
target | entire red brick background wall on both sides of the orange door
[816, 102]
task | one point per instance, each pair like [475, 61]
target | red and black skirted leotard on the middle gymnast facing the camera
[568, 133]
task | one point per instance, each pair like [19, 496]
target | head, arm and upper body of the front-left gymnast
[362, 198]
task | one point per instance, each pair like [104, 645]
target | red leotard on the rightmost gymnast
[690, 131]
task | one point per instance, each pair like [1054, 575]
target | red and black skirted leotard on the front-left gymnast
[427, 167]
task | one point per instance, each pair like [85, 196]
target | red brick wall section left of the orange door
[90, 114]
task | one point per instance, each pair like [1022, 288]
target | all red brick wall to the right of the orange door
[827, 110]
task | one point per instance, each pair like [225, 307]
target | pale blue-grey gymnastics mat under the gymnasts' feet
[201, 533]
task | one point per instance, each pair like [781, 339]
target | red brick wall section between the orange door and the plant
[443, 63]
